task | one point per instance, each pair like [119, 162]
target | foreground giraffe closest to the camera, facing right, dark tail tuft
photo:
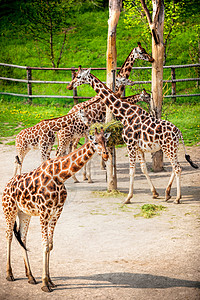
[42, 193]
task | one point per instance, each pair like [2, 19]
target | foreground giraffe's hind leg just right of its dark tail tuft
[24, 221]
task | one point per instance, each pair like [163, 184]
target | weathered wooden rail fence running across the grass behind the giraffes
[29, 81]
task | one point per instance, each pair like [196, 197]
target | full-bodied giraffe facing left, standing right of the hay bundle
[141, 133]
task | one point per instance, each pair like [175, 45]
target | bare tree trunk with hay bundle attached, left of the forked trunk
[114, 13]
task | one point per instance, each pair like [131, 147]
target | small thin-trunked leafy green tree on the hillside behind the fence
[48, 24]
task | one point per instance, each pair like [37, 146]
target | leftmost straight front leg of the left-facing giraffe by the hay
[132, 159]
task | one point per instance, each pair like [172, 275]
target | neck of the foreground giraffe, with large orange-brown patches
[65, 167]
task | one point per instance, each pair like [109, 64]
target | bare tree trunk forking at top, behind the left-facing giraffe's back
[157, 73]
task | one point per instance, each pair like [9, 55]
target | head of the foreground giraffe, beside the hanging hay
[99, 141]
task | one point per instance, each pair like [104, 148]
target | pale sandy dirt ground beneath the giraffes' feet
[101, 251]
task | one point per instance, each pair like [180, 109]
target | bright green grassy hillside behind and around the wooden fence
[86, 45]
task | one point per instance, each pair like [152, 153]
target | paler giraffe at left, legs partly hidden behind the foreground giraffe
[42, 135]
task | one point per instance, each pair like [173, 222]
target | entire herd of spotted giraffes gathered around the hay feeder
[42, 192]
